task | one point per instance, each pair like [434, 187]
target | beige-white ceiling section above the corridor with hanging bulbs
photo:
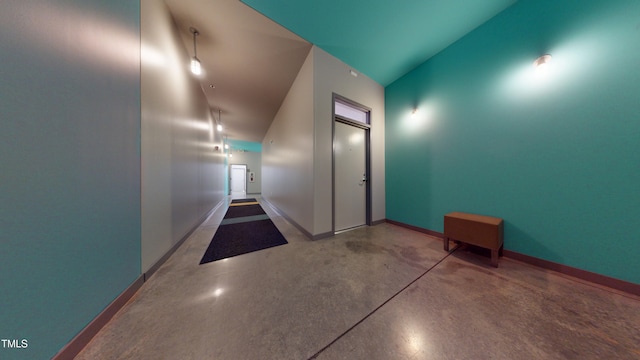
[251, 61]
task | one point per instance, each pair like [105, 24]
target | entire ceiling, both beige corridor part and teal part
[252, 59]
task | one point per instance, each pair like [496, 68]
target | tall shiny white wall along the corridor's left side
[182, 176]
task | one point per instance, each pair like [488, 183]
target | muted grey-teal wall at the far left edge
[69, 166]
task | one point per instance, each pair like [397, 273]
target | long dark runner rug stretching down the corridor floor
[245, 228]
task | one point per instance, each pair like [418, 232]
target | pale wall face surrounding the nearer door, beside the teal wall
[332, 76]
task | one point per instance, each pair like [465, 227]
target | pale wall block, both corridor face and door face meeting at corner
[298, 148]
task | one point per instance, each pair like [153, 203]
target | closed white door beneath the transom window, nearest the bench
[350, 176]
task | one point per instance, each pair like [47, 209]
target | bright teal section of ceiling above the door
[380, 38]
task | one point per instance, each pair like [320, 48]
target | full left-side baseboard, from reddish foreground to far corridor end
[81, 340]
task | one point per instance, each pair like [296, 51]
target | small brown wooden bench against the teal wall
[479, 230]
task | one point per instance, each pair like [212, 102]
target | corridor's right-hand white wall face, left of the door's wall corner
[287, 152]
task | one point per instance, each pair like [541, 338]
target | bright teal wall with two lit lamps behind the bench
[556, 156]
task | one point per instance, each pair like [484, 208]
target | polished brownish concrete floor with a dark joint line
[381, 292]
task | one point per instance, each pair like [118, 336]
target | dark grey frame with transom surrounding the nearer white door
[367, 135]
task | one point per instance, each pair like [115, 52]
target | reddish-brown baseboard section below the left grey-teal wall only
[73, 348]
